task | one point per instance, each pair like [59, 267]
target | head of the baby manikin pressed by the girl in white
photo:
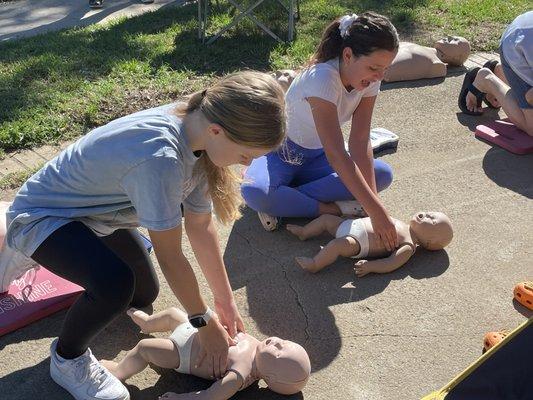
[432, 229]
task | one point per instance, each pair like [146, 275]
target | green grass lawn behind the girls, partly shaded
[60, 85]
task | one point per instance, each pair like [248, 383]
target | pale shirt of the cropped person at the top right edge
[517, 46]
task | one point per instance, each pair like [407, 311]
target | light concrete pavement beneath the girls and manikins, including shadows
[396, 336]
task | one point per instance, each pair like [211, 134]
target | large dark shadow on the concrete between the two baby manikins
[288, 302]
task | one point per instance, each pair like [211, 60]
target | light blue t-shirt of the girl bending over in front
[134, 171]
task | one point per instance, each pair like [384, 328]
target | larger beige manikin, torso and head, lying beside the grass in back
[414, 61]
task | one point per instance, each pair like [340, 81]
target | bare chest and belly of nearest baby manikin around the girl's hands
[240, 358]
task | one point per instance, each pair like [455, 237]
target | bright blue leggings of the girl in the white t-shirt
[287, 189]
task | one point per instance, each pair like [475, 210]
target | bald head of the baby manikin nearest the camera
[283, 365]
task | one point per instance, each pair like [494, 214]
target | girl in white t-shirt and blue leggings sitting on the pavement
[314, 174]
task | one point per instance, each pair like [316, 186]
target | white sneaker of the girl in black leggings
[85, 378]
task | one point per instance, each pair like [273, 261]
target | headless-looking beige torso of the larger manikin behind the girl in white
[415, 62]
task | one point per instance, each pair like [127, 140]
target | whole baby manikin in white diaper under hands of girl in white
[356, 238]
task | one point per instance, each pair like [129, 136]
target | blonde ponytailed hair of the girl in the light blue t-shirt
[250, 106]
